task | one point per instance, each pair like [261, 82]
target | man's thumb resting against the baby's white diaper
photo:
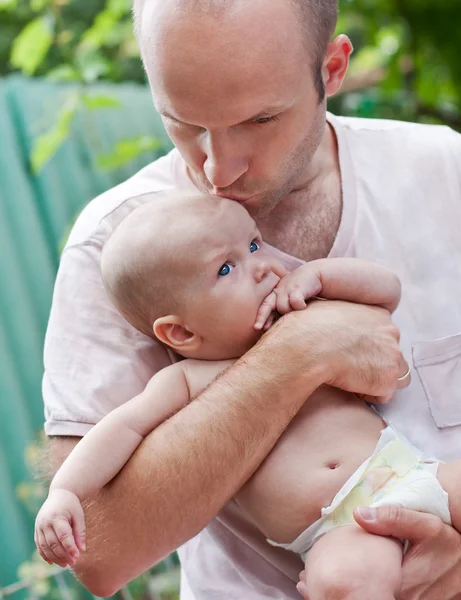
[398, 522]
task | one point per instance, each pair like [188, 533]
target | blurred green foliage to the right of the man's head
[406, 61]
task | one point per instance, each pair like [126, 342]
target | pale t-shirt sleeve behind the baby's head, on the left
[94, 359]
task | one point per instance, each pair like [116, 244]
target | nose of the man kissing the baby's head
[224, 164]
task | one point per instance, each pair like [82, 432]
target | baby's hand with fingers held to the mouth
[291, 293]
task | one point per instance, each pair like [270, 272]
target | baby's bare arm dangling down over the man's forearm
[102, 453]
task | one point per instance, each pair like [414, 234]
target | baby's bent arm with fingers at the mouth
[349, 279]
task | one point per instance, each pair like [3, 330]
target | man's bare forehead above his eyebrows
[207, 65]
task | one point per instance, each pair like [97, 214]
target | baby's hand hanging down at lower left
[60, 529]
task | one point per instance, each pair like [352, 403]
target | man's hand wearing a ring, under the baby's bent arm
[355, 347]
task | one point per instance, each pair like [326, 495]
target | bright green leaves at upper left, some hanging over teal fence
[73, 41]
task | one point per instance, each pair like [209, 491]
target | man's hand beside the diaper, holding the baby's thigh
[432, 565]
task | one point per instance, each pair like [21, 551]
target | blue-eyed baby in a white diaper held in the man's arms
[193, 272]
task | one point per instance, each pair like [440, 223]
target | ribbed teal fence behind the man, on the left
[36, 213]
